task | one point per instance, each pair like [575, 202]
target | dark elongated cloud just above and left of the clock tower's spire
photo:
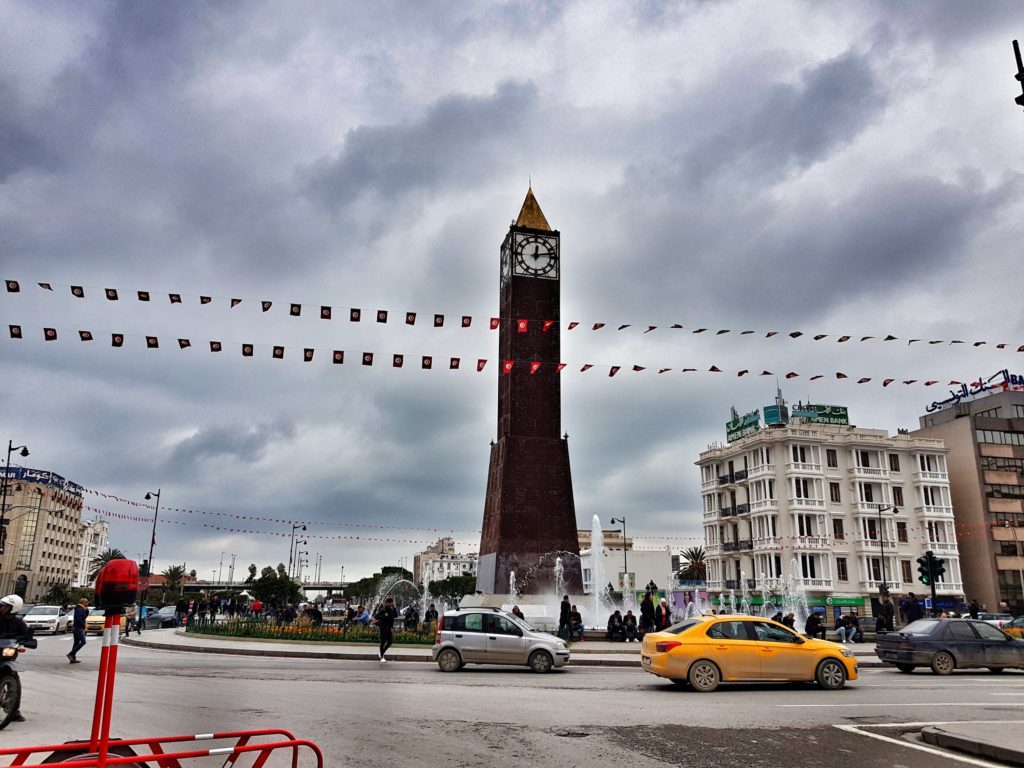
[460, 142]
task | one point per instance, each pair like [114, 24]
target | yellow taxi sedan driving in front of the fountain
[709, 651]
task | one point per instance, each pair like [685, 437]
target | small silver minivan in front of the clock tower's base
[492, 636]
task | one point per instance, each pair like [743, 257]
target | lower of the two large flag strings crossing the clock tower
[428, 362]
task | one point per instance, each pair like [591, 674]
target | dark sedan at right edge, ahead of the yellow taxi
[948, 645]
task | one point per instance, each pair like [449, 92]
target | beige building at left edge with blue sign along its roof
[41, 530]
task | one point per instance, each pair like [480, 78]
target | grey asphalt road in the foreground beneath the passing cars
[403, 714]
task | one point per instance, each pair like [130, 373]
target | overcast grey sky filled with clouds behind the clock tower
[829, 168]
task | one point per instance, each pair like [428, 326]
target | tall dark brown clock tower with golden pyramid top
[529, 514]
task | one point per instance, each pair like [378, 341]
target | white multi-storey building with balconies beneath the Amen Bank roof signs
[834, 509]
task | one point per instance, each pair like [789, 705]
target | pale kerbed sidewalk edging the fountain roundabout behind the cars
[587, 654]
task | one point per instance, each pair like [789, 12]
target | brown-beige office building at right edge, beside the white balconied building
[986, 438]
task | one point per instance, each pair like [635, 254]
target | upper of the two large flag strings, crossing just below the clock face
[356, 315]
